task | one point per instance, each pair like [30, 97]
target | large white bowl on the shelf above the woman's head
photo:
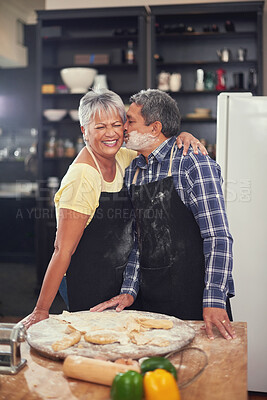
[78, 79]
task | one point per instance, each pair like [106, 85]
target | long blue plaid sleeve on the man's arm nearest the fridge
[205, 196]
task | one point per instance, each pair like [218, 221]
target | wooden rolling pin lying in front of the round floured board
[92, 370]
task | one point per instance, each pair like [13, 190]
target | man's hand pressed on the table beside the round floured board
[219, 318]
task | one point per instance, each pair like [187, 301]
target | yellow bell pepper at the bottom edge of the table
[160, 385]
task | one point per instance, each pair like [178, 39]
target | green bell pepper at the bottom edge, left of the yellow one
[127, 386]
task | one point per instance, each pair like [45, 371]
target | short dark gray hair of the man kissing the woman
[159, 106]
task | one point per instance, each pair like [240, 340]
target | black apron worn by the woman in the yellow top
[96, 270]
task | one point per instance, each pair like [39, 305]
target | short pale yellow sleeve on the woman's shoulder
[80, 190]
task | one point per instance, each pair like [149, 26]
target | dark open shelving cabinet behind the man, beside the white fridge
[186, 38]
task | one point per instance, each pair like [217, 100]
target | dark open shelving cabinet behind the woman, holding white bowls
[67, 38]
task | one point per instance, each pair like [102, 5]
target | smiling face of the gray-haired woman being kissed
[105, 133]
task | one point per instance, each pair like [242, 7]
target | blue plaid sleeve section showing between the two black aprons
[130, 283]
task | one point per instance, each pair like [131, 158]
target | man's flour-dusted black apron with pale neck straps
[172, 264]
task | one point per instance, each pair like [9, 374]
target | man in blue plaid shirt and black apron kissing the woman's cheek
[184, 240]
